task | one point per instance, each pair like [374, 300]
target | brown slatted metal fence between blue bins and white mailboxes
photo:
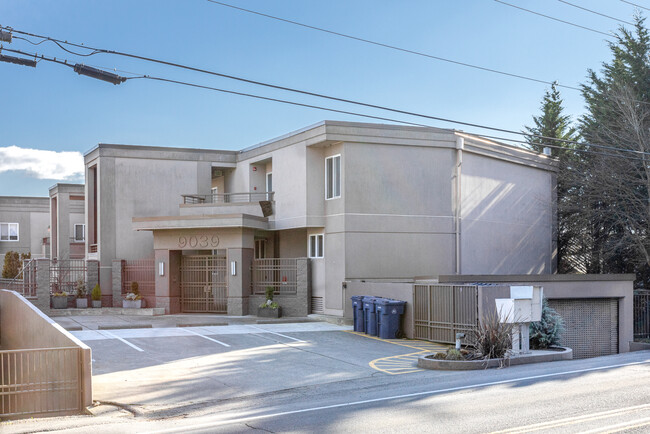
[441, 311]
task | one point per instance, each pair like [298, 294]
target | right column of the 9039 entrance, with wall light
[239, 286]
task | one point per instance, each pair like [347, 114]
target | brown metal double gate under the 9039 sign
[204, 287]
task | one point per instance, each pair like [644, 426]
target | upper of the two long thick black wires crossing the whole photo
[348, 101]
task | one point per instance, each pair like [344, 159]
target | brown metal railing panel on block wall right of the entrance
[280, 274]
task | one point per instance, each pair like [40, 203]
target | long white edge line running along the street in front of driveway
[187, 425]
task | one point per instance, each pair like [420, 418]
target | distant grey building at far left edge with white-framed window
[24, 225]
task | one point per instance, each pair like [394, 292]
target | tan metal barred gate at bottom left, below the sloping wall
[39, 382]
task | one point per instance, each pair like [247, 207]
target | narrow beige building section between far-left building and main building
[67, 222]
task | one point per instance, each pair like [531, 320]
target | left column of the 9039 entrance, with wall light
[168, 292]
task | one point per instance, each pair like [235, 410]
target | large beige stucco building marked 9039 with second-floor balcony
[363, 201]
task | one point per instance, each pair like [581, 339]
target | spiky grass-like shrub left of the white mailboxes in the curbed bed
[492, 339]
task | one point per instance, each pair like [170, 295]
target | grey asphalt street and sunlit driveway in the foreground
[345, 394]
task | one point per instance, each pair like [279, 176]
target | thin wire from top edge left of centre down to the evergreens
[392, 47]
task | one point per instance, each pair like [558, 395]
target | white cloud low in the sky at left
[41, 164]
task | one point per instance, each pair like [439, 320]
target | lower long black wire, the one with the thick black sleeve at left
[249, 95]
